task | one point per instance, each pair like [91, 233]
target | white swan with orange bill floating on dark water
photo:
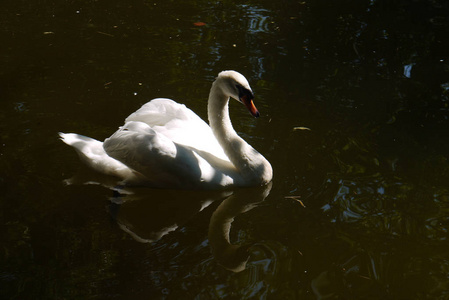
[166, 145]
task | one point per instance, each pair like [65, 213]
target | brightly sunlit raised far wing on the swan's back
[179, 124]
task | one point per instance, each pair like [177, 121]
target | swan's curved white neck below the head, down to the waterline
[250, 164]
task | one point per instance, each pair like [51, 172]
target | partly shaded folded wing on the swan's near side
[165, 163]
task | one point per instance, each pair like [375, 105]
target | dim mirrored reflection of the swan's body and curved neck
[148, 220]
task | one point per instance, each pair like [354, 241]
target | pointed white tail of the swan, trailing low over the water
[91, 152]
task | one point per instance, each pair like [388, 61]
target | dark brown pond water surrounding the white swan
[370, 79]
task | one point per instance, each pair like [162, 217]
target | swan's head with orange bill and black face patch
[236, 86]
